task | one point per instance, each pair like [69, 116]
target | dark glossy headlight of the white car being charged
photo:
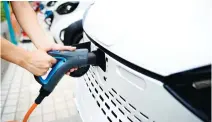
[193, 89]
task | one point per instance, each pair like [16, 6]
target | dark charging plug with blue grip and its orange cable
[67, 60]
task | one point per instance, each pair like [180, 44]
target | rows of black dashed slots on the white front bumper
[109, 100]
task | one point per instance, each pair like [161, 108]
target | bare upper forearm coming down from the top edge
[28, 21]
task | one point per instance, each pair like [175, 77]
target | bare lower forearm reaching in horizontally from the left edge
[12, 53]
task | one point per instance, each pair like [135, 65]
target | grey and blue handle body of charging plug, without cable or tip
[65, 61]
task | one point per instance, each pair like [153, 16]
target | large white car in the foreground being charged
[158, 62]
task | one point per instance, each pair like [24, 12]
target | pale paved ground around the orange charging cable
[19, 90]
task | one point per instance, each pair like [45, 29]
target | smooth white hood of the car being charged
[162, 36]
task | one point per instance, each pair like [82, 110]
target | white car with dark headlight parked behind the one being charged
[67, 16]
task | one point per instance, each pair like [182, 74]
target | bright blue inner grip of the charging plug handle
[60, 62]
